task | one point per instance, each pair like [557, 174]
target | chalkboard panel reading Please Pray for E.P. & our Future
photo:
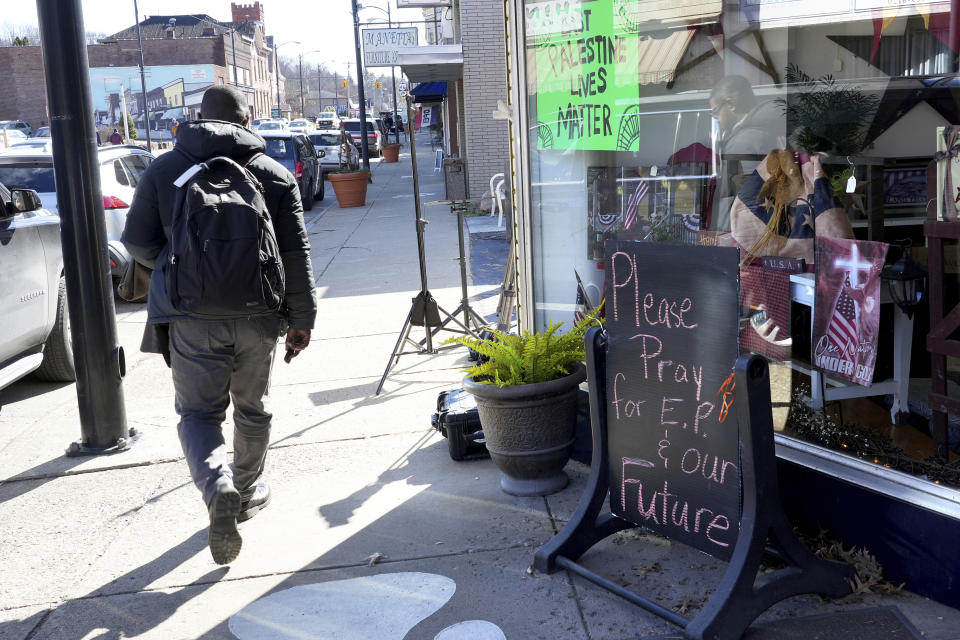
[673, 441]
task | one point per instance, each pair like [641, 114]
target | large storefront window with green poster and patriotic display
[803, 132]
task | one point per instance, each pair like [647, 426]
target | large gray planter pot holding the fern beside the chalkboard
[529, 431]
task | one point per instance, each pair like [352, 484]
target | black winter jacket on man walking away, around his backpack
[149, 220]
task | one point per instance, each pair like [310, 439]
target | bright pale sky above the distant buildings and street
[323, 27]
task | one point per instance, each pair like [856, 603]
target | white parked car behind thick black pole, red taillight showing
[120, 169]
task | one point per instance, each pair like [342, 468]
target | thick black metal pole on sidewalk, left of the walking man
[96, 351]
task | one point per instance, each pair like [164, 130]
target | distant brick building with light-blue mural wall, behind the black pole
[201, 49]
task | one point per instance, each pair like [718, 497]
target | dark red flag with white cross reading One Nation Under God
[846, 308]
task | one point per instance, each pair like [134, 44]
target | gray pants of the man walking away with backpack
[214, 361]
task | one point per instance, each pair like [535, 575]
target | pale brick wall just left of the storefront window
[484, 82]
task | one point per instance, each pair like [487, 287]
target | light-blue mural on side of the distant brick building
[172, 95]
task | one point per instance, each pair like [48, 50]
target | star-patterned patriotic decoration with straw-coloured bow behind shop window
[785, 203]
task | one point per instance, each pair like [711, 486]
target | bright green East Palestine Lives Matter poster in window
[587, 81]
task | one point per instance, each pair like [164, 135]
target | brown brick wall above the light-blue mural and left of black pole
[21, 69]
